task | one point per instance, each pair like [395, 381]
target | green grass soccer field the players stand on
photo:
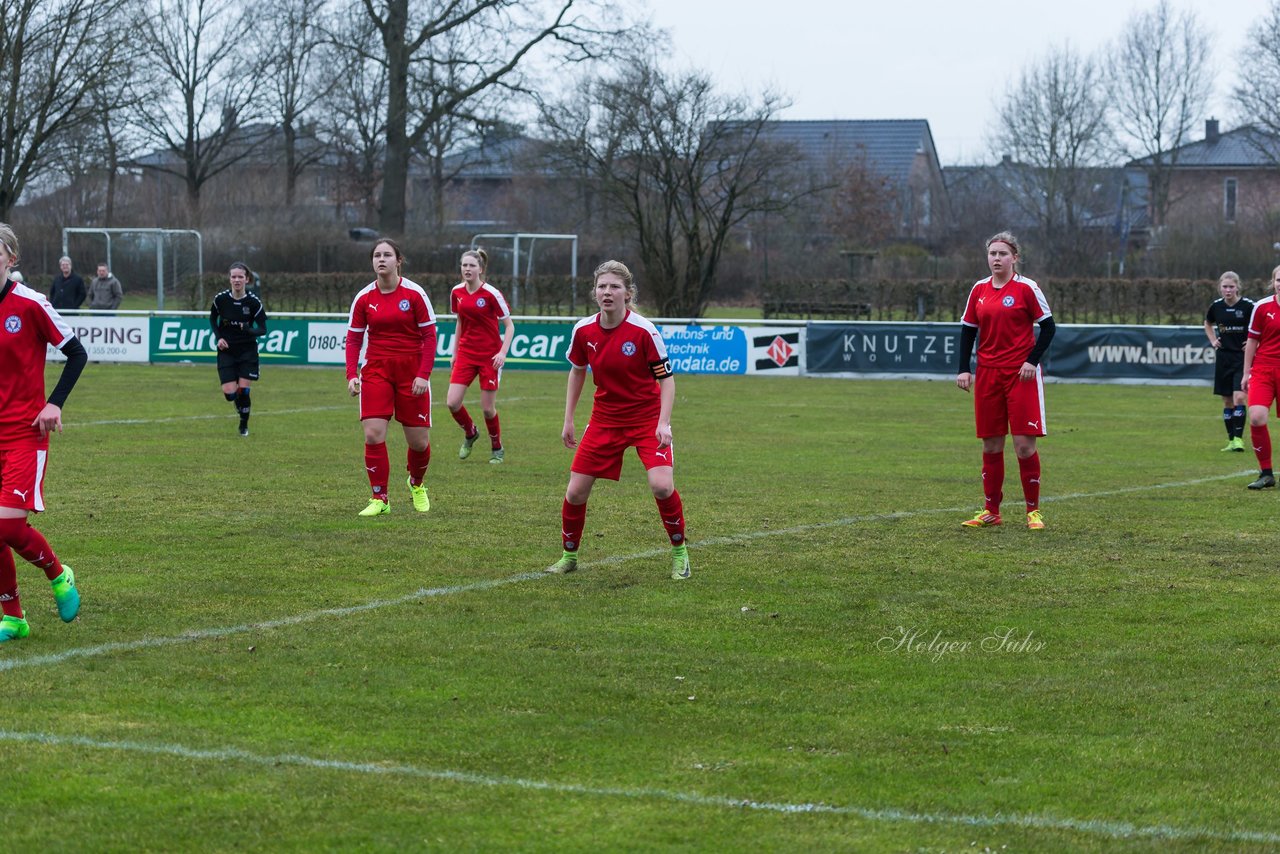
[257, 669]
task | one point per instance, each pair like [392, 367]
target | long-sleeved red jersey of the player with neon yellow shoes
[400, 323]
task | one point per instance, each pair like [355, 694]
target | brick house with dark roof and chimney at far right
[1224, 181]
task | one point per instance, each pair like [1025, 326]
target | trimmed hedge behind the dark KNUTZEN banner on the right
[1131, 302]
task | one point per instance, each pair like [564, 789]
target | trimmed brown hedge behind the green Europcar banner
[289, 293]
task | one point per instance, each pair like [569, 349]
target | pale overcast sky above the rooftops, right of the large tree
[948, 62]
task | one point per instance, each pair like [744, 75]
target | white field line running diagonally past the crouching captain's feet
[427, 593]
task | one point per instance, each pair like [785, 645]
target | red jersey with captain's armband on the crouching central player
[627, 363]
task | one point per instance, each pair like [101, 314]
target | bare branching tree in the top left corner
[47, 93]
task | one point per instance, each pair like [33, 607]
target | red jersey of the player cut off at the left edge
[29, 325]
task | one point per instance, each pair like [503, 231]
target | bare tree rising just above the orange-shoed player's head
[1053, 122]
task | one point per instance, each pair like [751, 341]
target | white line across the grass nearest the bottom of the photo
[1032, 821]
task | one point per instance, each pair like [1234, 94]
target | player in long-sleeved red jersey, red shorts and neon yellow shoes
[392, 319]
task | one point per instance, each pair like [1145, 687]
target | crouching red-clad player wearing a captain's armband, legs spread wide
[634, 395]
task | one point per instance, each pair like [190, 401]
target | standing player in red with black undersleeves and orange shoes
[1009, 389]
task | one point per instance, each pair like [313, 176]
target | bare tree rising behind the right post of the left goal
[203, 90]
